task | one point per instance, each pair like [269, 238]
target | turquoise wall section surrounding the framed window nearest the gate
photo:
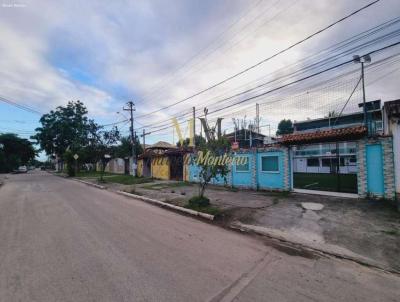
[270, 180]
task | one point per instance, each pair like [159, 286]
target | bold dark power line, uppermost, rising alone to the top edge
[264, 60]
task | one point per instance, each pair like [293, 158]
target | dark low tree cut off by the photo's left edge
[14, 152]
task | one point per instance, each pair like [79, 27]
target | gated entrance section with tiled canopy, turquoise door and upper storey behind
[343, 154]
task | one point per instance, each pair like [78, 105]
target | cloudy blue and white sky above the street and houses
[158, 52]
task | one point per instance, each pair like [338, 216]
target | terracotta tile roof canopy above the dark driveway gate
[324, 135]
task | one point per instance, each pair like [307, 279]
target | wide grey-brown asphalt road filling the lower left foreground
[61, 240]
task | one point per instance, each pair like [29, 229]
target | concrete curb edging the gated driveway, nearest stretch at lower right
[324, 251]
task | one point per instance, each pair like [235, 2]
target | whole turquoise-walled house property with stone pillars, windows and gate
[342, 156]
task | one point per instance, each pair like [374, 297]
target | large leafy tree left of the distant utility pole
[66, 128]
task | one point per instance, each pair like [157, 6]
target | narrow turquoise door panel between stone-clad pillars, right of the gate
[374, 169]
